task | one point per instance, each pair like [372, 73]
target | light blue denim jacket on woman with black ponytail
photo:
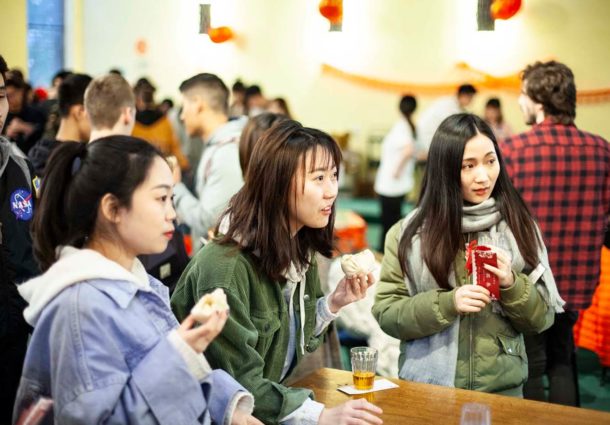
[100, 351]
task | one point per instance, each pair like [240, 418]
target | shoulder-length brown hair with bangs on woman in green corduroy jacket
[259, 213]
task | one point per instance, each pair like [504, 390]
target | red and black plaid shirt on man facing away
[563, 174]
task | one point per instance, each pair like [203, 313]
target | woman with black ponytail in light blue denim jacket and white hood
[106, 347]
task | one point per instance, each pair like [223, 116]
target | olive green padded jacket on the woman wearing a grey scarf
[491, 351]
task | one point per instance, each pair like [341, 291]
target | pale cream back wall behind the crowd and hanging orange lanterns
[281, 44]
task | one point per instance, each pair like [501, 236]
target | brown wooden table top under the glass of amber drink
[413, 403]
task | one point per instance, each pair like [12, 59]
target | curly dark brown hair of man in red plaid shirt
[552, 85]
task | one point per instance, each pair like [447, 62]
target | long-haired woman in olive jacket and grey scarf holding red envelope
[452, 332]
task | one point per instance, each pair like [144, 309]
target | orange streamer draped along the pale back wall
[480, 79]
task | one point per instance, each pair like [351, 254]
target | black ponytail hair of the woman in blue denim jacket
[77, 177]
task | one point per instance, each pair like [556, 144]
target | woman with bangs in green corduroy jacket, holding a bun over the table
[264, 260]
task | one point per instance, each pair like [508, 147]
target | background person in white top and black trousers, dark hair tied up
[395, 174]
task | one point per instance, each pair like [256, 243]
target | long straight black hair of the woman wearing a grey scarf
[438, 221]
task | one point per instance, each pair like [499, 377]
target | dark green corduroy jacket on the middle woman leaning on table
[253, 344]
